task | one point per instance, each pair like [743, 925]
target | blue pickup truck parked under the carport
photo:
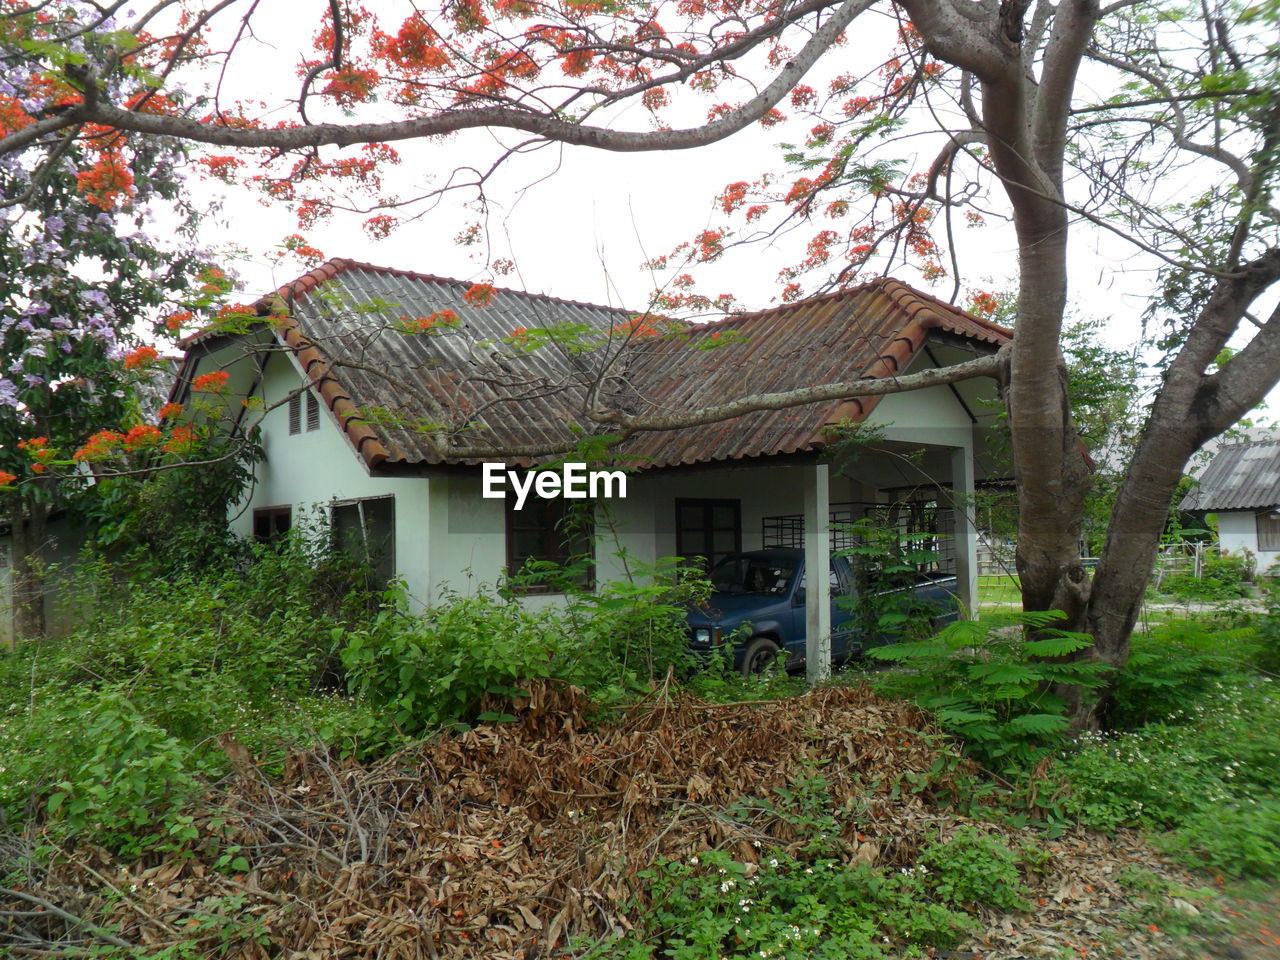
[758, 605]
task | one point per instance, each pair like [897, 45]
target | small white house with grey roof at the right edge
[1242, 486]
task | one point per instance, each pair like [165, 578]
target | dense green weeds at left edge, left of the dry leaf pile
[109, 732]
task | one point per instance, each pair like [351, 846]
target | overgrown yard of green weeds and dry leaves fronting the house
[286, 673]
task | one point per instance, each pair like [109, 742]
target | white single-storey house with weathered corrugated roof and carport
[360, 403]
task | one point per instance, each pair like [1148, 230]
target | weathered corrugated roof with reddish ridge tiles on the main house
[483, 391]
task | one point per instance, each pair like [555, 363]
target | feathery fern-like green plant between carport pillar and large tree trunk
[994, 689]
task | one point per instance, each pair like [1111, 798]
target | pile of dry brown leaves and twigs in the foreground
[519, 840]
